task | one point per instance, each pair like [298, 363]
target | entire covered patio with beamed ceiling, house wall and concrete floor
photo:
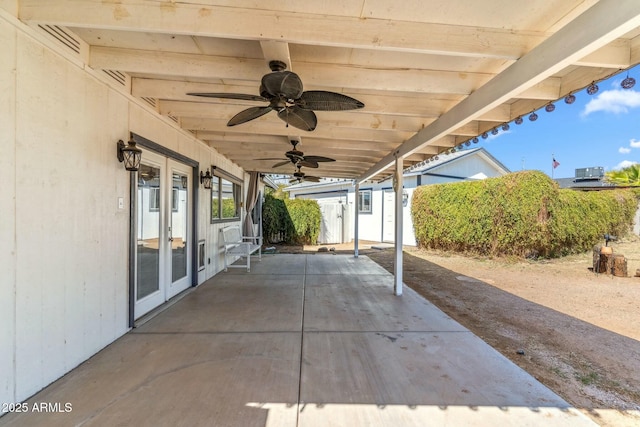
[301, 339]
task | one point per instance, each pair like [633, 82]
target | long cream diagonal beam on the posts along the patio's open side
[599, 25]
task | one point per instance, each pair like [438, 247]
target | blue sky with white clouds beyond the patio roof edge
[596, 130]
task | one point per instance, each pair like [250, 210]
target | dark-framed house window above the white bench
[226, 196]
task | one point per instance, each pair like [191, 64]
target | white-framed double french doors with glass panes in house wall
[163, 226]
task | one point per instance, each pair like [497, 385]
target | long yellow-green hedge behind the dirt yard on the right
[520, 214]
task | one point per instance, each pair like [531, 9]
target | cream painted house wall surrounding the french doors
[63, 240]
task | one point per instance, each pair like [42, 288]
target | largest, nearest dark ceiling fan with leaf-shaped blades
[283, 91]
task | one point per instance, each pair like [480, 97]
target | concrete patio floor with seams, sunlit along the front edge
[301, 340]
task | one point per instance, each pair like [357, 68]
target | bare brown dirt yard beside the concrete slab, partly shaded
[577, 332]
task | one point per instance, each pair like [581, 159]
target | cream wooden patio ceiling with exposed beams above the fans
[431, 75]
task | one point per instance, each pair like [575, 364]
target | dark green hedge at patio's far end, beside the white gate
[295, 221]
